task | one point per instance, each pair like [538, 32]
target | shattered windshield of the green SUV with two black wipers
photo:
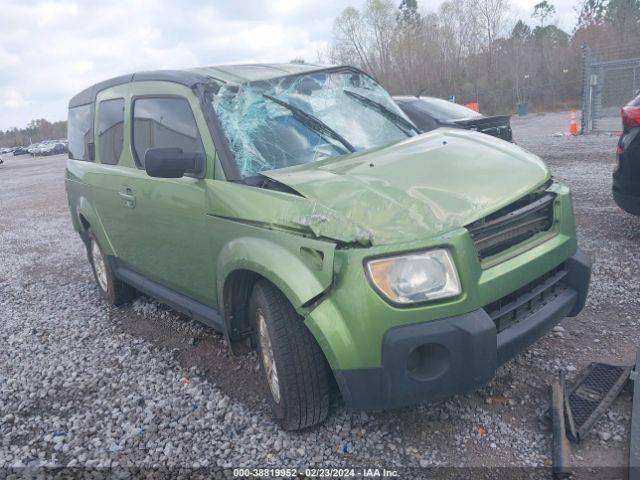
[300, 119]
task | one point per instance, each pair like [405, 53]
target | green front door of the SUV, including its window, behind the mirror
[169, 241]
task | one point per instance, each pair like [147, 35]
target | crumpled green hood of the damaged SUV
[420, 187]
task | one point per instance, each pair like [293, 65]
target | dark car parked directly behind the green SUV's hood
[429, 113]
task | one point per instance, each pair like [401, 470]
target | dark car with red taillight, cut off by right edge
[626, 176]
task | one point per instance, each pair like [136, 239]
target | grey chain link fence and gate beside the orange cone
[610, 79]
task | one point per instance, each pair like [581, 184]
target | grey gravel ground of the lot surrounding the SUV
[84, 384]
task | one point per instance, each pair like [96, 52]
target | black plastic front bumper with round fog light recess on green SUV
[433, 360]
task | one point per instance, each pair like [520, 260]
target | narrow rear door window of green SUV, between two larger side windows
[110, 130]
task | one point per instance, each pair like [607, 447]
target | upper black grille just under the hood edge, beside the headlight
[513, 224]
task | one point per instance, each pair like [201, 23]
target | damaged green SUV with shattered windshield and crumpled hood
[296, 209]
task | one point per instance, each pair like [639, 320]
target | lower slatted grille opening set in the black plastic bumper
[525, 301]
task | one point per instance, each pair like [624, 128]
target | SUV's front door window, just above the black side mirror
[164, 122]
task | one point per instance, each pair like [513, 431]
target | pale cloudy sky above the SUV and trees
[52, 49]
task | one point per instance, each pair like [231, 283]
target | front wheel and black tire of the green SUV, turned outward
[300, 395]
